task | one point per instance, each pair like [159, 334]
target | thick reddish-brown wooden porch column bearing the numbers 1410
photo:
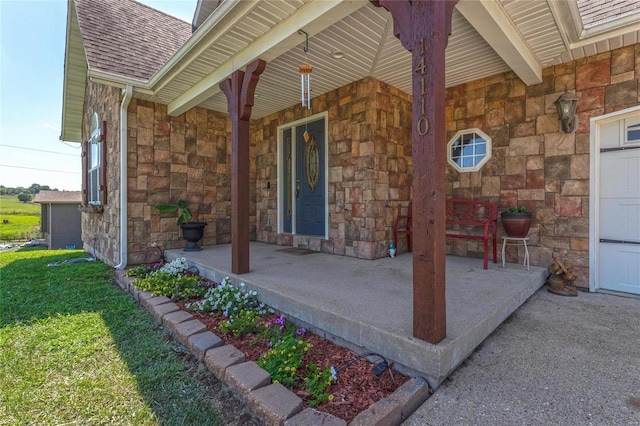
[423, 27]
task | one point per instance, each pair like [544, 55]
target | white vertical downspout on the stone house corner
[124, 245]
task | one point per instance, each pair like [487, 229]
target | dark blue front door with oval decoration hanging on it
[310, 178]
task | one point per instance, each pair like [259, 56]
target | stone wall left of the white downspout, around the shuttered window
[101, 230]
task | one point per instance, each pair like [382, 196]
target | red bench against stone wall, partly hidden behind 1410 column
[462, 217]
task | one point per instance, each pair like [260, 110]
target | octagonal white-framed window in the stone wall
[469, 150]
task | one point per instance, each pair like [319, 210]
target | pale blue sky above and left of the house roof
[32, 36]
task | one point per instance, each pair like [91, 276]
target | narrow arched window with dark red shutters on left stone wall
[94, 153]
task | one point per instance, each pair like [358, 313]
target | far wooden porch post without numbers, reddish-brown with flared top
[240, 89]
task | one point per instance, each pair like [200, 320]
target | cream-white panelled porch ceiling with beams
[522, 35]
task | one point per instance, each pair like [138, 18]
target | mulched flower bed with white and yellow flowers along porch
[325, 376]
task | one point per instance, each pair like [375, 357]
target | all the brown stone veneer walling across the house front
[369, 141]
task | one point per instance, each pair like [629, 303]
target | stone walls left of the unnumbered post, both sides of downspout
[169, 159]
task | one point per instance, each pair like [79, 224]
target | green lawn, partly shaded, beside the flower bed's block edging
[76, 350]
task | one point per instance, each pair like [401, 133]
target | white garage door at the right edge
[619, 205]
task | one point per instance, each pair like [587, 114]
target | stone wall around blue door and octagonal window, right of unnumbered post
[533, 162]
